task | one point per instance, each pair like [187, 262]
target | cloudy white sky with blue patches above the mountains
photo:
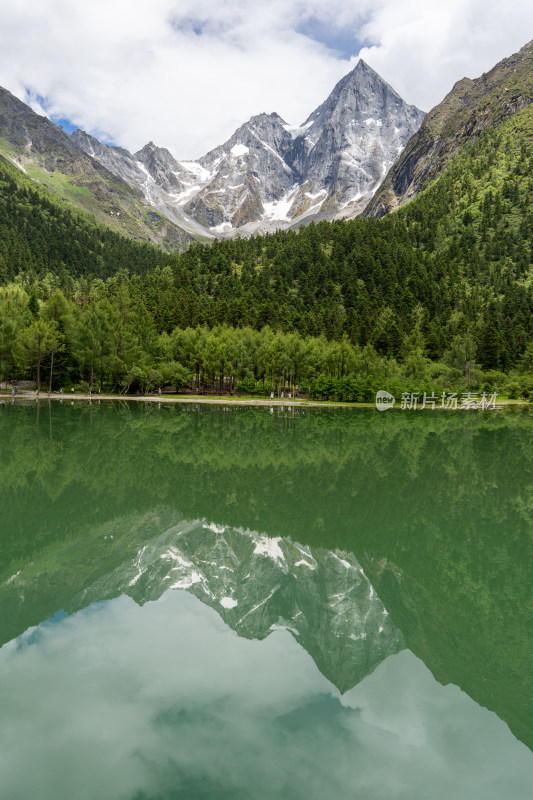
[186, 73]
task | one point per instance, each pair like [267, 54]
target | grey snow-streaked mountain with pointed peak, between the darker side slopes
[270, 174]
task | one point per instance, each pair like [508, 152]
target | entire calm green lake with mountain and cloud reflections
[235, 602]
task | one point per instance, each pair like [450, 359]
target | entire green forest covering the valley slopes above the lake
[436, 295]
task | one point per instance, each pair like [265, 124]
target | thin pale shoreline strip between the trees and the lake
[238, 401]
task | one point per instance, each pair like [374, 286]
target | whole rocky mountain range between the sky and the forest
[361, 151]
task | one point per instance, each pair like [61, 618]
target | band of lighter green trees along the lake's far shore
[107, 340]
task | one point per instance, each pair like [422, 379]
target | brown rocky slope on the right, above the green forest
[470, 108]
